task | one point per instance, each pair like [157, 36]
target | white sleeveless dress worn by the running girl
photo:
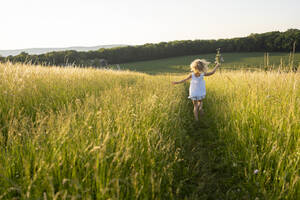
[197, 87]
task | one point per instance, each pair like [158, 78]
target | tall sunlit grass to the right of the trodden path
[257, 116]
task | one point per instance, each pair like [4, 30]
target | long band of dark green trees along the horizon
[265, 42]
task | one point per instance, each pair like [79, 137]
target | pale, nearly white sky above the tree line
[65, 23]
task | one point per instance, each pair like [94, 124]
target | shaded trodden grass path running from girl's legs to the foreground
[204, 174]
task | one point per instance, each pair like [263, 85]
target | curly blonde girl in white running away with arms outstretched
[197, 85]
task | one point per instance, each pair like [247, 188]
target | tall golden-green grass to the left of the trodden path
[88, 134]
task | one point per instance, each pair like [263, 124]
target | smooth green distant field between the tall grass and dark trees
[232, 60]
